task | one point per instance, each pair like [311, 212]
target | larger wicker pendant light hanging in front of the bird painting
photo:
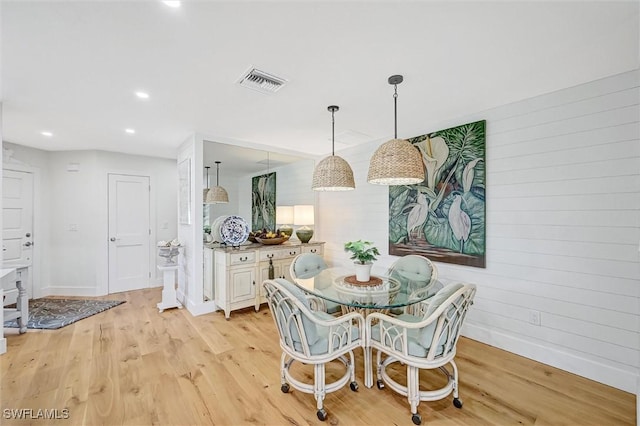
[396, 162]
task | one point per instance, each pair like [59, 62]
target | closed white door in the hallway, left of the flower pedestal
[129, 232]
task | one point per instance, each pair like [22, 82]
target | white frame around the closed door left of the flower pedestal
[103, 267]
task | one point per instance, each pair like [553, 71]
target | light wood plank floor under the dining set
[133, 365]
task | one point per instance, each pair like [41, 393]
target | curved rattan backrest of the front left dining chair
[290, 310]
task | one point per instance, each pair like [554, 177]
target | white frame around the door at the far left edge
[41, 241]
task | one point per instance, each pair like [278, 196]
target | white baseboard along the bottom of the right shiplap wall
[606, 374]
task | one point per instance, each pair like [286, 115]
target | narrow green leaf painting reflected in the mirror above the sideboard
[263, 203]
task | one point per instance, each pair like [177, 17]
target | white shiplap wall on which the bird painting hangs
[563, 228]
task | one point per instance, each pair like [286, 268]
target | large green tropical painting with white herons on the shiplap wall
[443, 218]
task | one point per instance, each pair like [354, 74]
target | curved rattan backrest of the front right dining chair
[445, 316]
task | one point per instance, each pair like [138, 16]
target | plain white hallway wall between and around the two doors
[75, 263]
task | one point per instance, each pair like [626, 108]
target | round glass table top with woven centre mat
[382, 292]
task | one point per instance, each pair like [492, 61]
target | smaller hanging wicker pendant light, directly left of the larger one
[333, 173]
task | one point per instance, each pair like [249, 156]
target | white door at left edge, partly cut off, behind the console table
[17, 221]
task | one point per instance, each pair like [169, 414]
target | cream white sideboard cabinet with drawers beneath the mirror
[238, 273]
